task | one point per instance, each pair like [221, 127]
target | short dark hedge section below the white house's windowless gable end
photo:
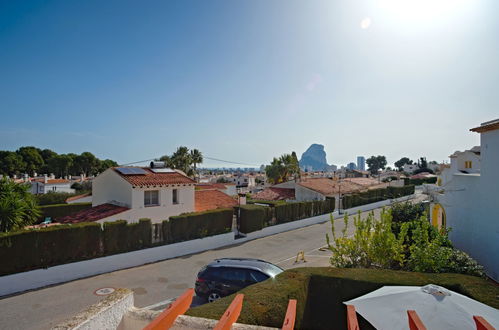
[119, 236]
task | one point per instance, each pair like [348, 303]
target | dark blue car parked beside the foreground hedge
[223, 277]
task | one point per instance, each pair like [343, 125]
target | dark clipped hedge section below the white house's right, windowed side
[190, 226]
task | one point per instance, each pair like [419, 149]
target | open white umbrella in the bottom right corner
[437, 307]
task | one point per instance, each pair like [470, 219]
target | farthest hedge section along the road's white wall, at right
[376, 195]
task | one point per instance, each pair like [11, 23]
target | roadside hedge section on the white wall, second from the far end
[300, 210]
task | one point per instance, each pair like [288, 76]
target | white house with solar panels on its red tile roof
[156, 194]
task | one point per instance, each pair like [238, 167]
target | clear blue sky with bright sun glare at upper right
[245, 81]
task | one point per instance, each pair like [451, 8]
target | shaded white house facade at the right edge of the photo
[468, 198]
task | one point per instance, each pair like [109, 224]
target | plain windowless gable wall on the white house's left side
[110, 186]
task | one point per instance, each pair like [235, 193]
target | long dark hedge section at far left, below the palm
[41, 248]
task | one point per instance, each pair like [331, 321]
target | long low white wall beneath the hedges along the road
[34, 279]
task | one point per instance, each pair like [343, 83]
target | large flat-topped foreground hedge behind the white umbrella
[321, 291]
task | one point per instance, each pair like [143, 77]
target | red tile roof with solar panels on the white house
[151, 179]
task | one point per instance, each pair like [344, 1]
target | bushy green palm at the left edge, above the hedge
[18, 207]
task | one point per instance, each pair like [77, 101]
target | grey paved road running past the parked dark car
[44, 308]
